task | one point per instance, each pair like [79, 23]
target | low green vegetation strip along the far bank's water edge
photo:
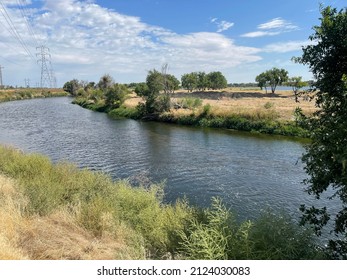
[205, 117]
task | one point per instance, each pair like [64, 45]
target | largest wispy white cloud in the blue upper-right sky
[273, 27]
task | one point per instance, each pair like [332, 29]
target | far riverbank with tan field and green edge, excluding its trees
[251, 110]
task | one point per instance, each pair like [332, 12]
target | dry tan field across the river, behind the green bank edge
[242, 102]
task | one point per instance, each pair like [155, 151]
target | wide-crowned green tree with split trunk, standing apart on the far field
[273, 77]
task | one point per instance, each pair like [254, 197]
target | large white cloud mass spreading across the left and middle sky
[87, 40]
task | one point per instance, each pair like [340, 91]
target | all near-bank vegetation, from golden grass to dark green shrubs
[61, 212]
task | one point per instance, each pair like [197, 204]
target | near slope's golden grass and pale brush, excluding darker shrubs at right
[60, 212]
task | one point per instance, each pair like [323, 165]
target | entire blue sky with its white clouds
[126, 38]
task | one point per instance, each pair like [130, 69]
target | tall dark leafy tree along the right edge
[326, 156]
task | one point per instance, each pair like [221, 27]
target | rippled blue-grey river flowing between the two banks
[249, 172]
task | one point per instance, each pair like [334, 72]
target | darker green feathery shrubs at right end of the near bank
[216, 235]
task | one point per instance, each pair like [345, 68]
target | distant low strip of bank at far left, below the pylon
[29, 93]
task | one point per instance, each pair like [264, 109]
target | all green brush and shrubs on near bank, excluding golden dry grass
[150, 228]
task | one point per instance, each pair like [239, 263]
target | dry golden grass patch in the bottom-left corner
[56, 236]
